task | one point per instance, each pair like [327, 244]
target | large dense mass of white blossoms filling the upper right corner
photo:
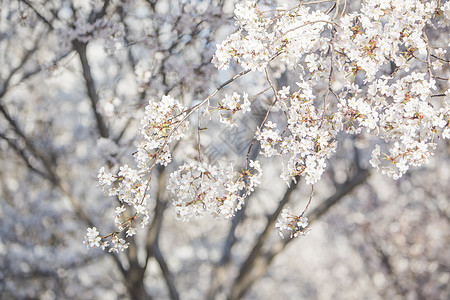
[397, 105]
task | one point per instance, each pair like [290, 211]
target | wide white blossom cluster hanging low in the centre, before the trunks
[200, 188]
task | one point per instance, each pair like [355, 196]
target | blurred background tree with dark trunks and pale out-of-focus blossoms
[75, 78]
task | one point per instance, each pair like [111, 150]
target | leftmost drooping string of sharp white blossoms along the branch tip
[162, 124]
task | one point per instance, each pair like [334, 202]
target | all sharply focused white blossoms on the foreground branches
[372, 70]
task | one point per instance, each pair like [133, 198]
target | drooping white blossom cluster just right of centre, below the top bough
[310, 139]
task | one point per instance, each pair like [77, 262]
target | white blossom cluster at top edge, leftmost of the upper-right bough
[289, 34]
